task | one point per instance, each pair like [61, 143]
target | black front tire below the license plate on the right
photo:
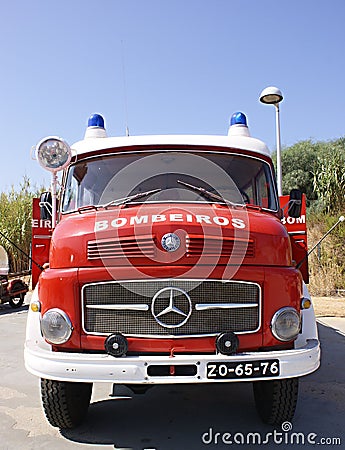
[276, 400]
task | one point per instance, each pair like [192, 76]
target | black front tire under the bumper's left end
[65, 404]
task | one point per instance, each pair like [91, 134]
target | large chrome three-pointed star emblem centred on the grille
[171, 307]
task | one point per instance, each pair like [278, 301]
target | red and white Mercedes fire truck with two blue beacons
[170, 261]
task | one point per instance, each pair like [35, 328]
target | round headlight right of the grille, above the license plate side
[286, 324]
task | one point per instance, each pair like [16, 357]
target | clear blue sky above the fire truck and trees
[188, 64]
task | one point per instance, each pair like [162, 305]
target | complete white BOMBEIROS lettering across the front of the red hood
[119, 222]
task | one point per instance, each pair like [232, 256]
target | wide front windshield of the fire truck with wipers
[109, 179]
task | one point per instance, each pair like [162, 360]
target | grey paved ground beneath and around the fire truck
[168, 418]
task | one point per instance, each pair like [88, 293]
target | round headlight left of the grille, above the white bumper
[56, 326]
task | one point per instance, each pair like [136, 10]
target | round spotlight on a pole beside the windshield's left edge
[53, 153]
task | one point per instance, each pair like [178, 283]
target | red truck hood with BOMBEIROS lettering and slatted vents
[169, 234]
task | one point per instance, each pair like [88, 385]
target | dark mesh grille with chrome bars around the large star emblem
[125, 307]
